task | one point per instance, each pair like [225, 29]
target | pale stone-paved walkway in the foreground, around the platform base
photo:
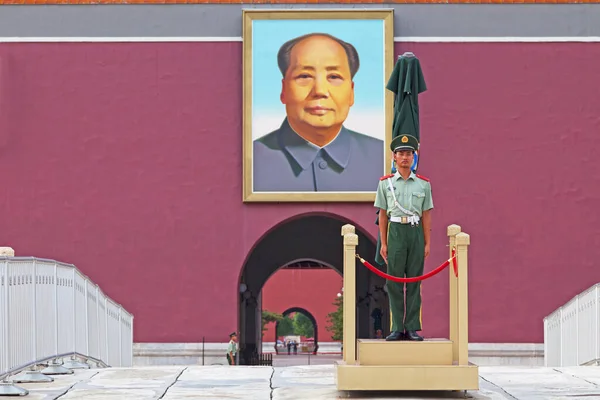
[314, 382]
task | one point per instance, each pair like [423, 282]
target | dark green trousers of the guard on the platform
[406, 258]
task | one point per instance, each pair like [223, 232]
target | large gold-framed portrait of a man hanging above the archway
[317, 117]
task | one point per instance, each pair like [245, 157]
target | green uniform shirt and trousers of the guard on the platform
[406, 246]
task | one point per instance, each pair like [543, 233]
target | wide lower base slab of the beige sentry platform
[406, 377]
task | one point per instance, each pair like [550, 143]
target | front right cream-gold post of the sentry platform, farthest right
[462, 244]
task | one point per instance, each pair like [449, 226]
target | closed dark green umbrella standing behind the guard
[406, 82]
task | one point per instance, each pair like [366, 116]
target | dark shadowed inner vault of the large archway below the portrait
[309, 236]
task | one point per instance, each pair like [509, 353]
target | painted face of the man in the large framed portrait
[317, 89]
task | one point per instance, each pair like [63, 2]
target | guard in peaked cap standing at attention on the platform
[405, 203]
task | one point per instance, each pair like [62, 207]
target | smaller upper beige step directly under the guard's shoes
[427, 352]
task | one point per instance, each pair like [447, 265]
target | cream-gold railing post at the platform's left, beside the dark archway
[349, 338]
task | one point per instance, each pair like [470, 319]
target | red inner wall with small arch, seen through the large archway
[313, 290]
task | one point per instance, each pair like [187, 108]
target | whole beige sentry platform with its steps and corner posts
[434, 364]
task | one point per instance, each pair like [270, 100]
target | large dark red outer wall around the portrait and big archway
[125, 159]
